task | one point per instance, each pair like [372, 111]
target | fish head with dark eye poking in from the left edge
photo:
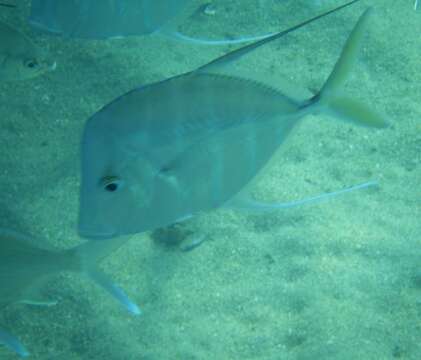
[20, 58]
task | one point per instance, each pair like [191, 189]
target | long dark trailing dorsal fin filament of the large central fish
[238, 53]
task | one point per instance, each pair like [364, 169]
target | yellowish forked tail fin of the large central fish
[345, 108]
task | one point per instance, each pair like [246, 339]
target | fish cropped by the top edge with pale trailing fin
[102, 19]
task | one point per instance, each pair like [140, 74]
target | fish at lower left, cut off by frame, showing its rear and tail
[24, 268]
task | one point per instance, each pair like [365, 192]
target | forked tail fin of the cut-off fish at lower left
[86, 258]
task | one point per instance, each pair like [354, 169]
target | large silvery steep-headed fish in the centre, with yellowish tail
[164, 152]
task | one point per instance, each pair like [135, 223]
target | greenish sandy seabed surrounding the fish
[336, 280]
